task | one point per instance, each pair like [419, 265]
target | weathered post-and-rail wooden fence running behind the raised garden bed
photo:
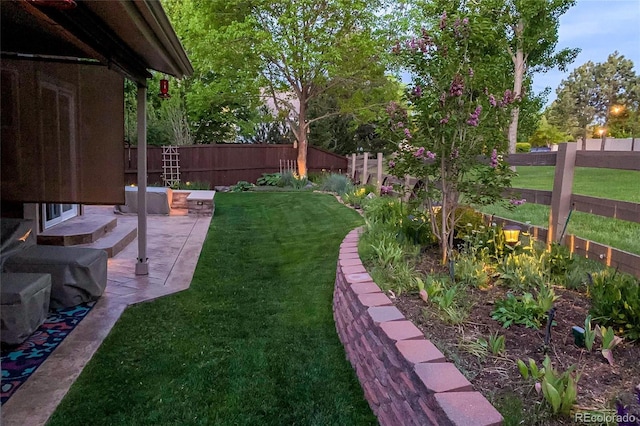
[561, 199]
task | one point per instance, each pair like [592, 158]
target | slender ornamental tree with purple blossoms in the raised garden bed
[455, 126]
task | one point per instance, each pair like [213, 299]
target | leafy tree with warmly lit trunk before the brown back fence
[292, 52]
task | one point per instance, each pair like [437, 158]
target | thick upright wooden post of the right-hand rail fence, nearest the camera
[562, 187]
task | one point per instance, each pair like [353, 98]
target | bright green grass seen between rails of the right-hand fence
[604, 183]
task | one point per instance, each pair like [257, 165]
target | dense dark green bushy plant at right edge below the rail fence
[615, 302]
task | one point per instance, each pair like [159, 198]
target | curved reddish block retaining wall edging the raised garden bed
[405, 378]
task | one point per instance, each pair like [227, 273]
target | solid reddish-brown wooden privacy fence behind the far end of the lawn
[226, 164]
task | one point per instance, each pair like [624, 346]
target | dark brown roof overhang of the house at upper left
[130, 36]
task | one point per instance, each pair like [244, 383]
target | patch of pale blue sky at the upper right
[598, 28]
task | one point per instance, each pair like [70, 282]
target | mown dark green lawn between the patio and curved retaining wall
[252, 342]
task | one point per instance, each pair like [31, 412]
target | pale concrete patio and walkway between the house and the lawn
[174, 245]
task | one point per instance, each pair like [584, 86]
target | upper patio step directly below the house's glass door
[84, 229]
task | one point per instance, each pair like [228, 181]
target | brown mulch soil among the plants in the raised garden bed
[600, 384]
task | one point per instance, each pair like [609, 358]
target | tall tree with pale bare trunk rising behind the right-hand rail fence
[530, 29]
